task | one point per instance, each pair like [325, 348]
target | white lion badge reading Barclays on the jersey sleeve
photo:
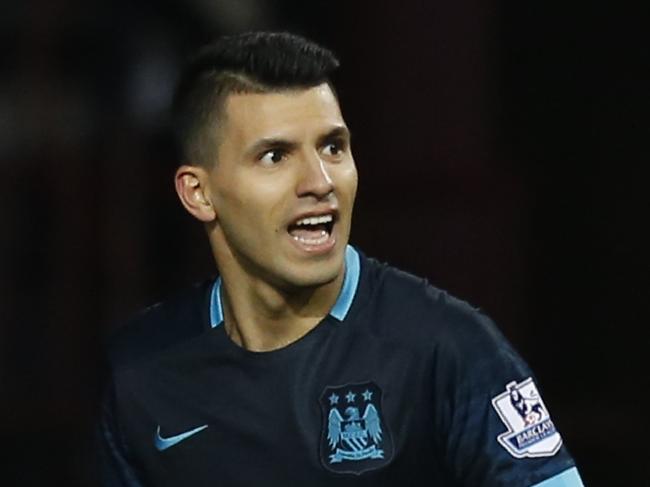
[531, 433]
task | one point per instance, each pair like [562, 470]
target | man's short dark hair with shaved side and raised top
[253, 62]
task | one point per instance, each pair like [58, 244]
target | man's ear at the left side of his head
[193, 191]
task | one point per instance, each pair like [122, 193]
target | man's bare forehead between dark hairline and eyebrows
[283, 114]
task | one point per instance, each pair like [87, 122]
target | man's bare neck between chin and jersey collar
[259, 316]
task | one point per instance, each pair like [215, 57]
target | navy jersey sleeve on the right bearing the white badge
[493, 427]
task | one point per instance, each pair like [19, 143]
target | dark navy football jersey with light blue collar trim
[400, 384]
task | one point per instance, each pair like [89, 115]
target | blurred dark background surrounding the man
[499, 147]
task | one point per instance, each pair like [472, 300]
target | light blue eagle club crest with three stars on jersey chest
[354, 436]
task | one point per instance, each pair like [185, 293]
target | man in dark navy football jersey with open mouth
[305, 362]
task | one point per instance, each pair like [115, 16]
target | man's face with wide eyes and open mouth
[283, 186]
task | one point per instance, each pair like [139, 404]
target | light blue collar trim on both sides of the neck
[338, 311]
